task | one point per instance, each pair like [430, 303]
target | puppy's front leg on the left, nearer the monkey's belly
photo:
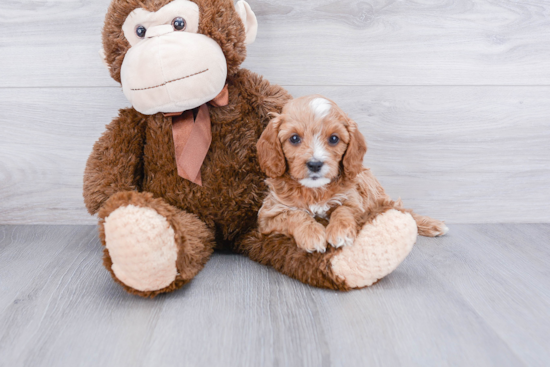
[308, 234]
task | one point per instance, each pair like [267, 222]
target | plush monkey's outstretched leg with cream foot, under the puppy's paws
[381, 245]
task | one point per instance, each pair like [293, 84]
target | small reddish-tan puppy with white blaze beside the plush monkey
[313, 155]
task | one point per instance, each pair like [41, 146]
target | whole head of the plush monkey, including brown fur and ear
[175, 55]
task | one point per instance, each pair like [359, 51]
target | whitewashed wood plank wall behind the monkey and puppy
[453, 97]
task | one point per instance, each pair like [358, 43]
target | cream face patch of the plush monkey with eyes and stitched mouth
[169, 66]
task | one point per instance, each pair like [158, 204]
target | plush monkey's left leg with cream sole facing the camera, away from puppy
[151, 247]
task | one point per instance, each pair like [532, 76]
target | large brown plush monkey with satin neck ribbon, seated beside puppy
[177, 175]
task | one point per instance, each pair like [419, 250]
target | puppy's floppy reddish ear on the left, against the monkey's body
[270, 153]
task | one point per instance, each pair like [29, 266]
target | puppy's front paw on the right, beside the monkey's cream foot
[342, 228]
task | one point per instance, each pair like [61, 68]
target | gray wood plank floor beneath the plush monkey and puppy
[479, 296]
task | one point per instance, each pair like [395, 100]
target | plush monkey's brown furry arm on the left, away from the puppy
[115, 163]
